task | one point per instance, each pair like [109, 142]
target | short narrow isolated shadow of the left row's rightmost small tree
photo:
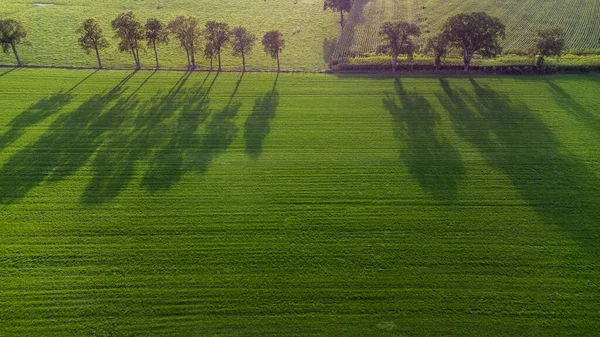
[257, 125]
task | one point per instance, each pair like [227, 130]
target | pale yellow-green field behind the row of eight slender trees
[52, 30]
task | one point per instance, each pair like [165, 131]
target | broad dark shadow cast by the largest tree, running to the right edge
[557, 185]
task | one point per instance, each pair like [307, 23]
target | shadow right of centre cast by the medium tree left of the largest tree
[429, 156]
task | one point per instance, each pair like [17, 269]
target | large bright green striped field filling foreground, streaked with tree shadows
[301, 204]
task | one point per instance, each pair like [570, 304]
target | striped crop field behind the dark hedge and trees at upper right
[578, 18]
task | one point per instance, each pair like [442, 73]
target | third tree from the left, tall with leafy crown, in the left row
[129, 29]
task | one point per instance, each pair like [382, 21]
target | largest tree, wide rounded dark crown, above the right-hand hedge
[475, 33]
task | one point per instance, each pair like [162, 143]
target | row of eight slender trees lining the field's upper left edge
[133, 36]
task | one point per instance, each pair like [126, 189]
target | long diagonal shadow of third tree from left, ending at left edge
[67, 145]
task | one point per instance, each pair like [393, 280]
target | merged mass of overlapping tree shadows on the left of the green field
[102, 133]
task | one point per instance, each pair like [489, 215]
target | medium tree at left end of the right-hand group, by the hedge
[397, 37]
